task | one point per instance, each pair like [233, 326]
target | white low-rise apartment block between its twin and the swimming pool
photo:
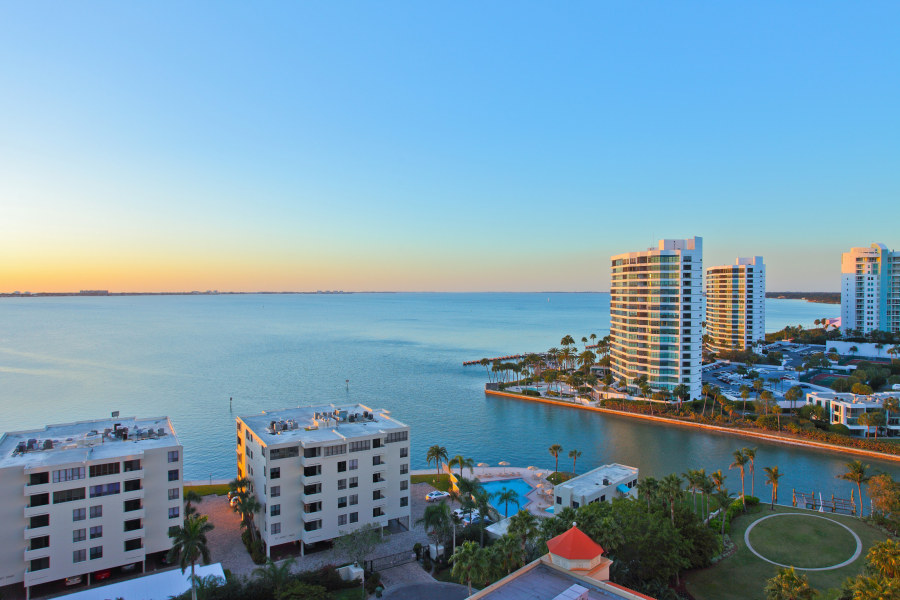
[323, 471]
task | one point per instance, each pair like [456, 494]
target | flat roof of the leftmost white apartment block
[85, 440]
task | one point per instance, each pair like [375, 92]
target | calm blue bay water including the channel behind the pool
[65, 359]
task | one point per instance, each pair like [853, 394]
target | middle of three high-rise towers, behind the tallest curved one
[736, 304]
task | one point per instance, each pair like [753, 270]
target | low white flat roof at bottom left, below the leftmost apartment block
[158, 586]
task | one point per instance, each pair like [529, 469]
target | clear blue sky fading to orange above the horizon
[491, 146]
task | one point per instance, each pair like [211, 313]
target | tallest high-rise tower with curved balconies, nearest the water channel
[655, 315]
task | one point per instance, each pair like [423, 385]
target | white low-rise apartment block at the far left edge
[80, 499]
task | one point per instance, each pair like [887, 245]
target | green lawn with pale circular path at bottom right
[805, 542]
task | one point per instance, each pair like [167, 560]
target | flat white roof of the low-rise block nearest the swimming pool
[316, 424]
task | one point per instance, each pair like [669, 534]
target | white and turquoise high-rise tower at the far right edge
[870, 289]
